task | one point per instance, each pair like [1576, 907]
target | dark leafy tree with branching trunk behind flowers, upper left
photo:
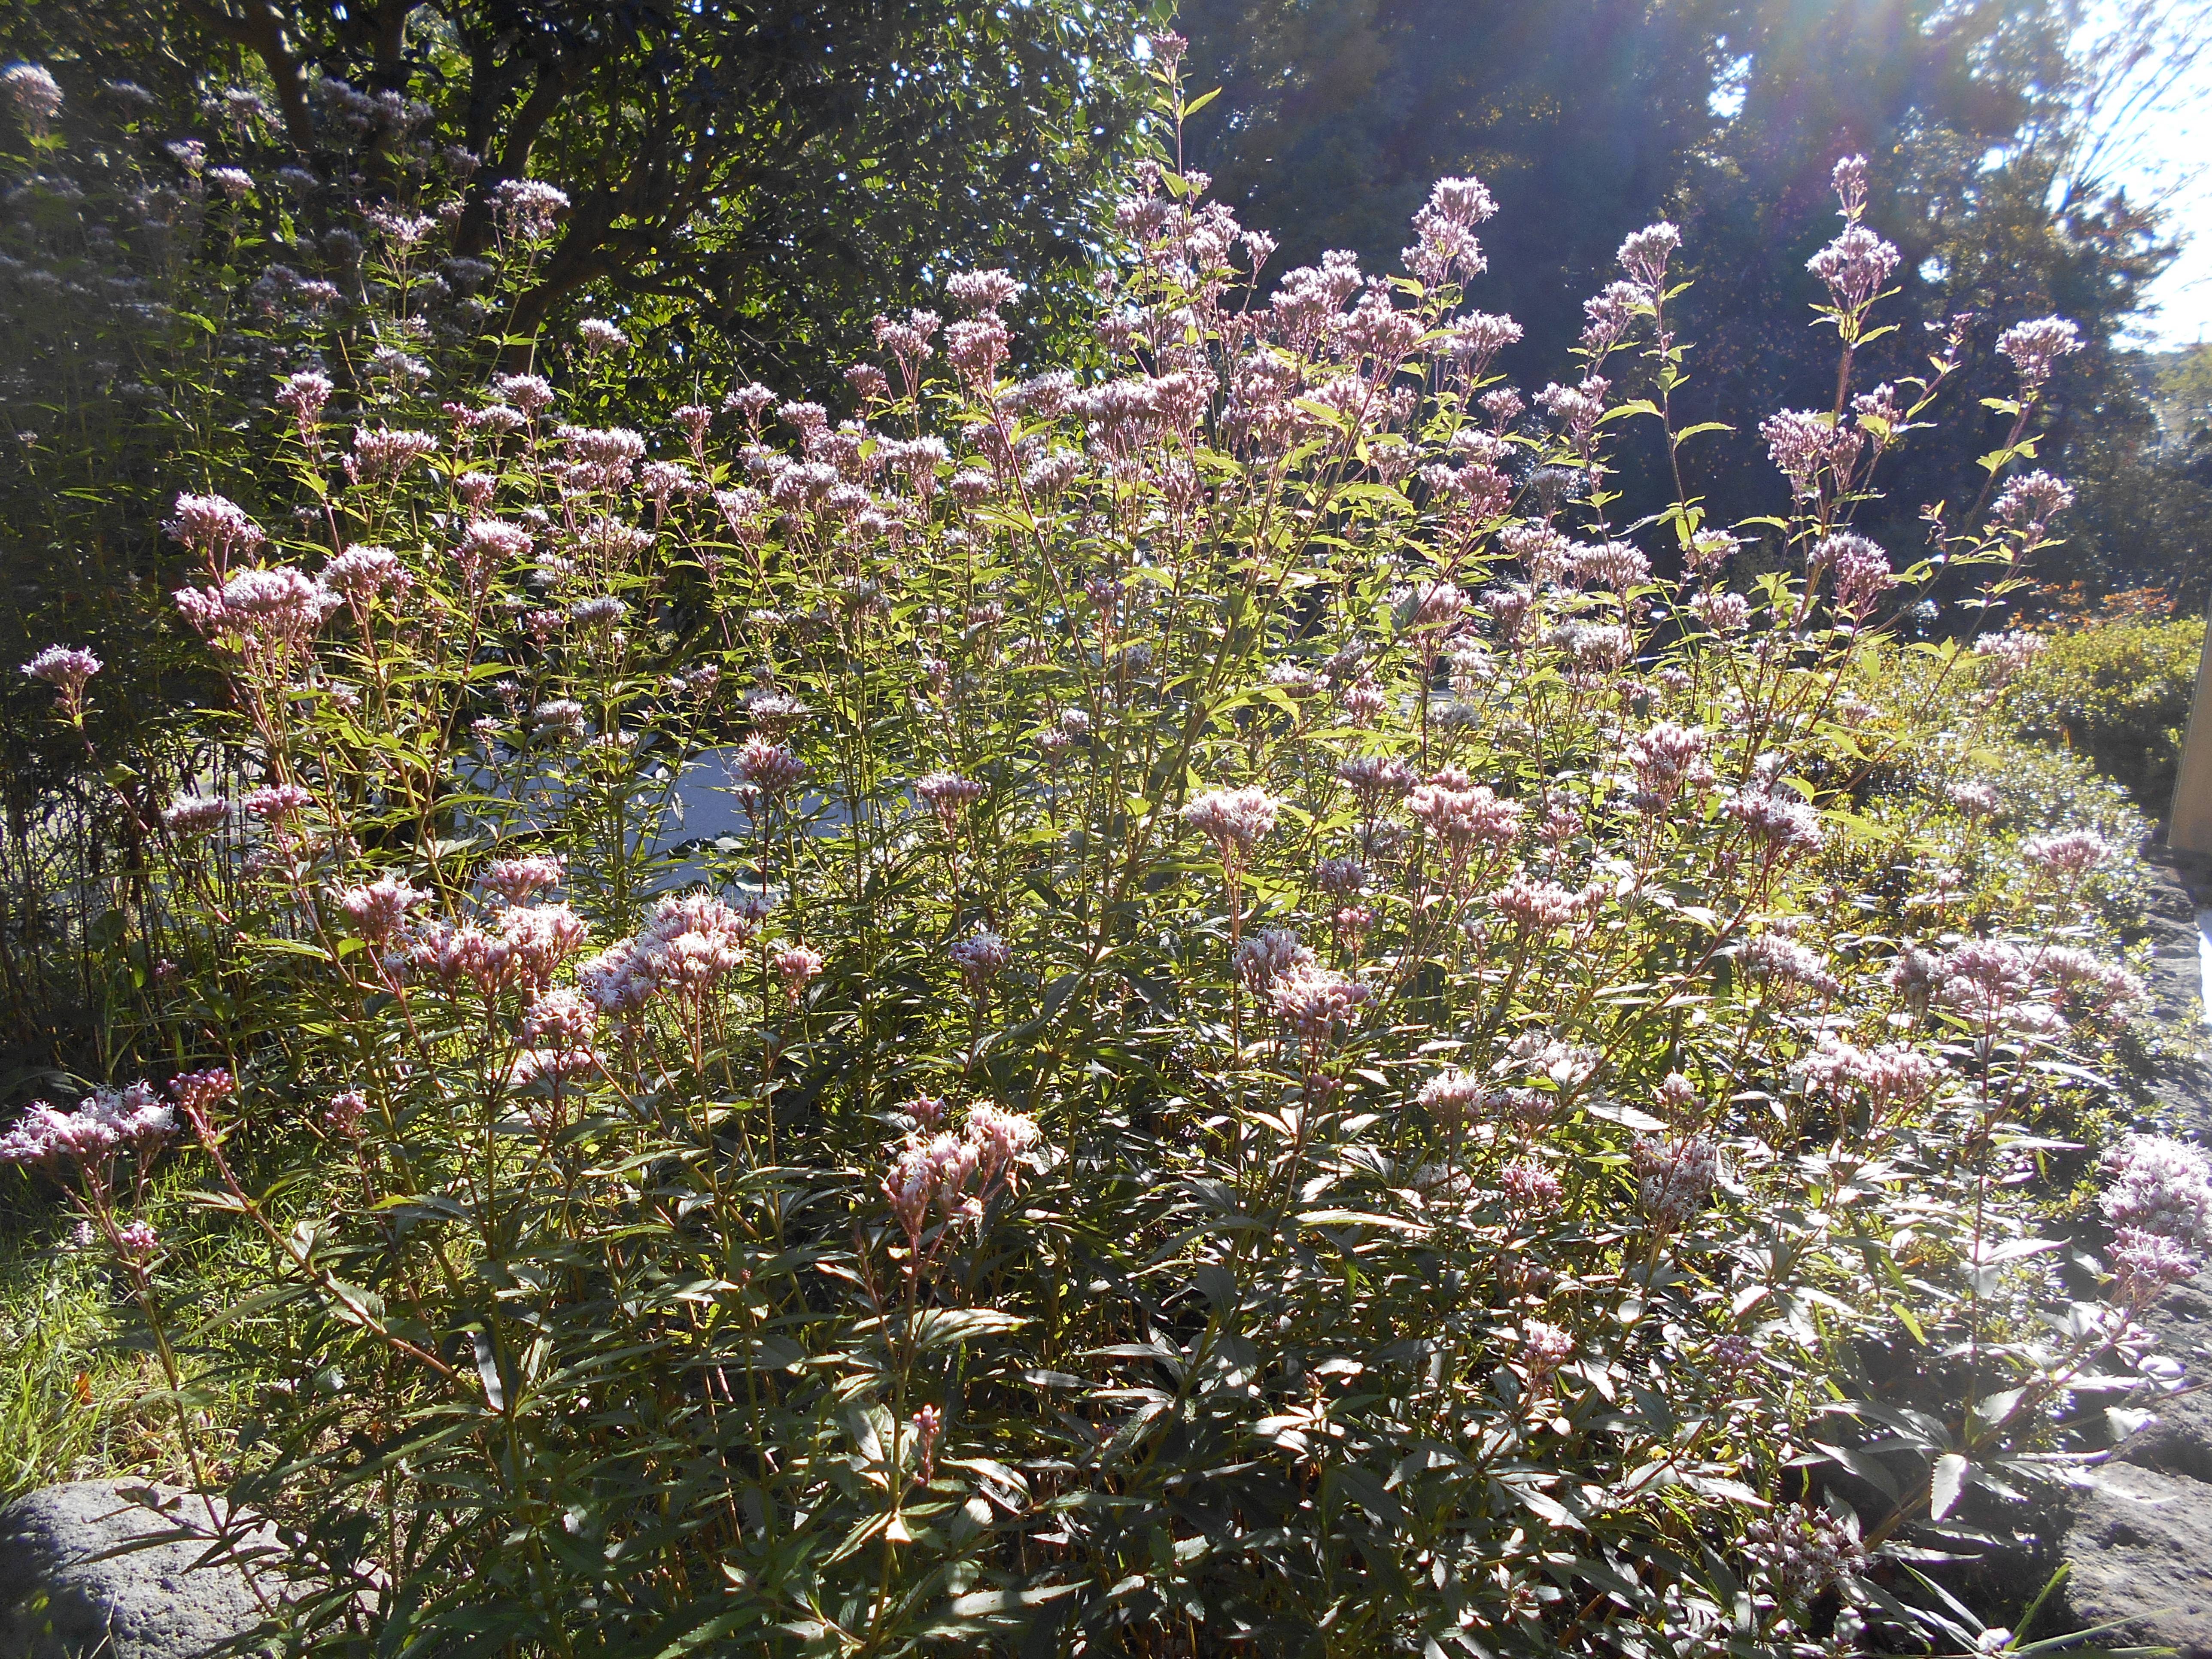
[771, 174]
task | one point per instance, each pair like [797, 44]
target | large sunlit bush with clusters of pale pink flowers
[1284, 1047]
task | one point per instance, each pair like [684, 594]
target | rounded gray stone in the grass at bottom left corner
[61, 1600]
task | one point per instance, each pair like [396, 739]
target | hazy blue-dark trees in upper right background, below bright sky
[1592, 118]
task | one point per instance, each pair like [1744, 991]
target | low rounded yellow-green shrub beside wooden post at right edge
[2118, 693]
